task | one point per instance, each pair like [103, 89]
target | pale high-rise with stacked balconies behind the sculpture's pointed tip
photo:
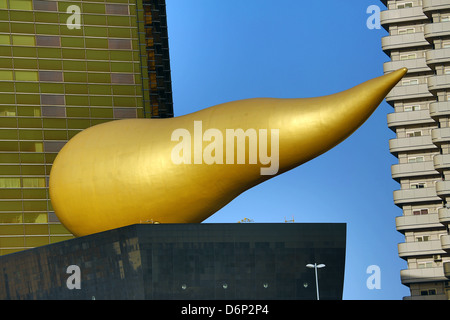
[419, 39]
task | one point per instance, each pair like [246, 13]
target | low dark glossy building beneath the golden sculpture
[183, 262]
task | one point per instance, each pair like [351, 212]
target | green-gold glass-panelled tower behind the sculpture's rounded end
[66, 66]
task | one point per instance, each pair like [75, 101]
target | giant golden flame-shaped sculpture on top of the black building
[184, 169]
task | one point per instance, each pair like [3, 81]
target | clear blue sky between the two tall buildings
[235, 49]
